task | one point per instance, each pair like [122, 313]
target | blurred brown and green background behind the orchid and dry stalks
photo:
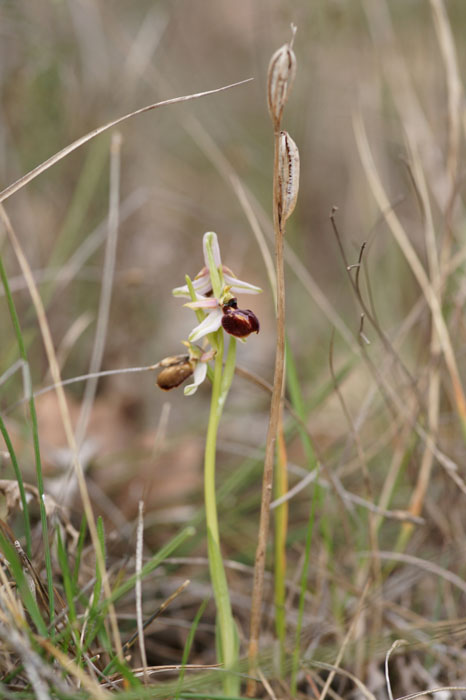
[67, 67]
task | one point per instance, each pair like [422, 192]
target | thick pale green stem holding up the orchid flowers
[226, 626]
